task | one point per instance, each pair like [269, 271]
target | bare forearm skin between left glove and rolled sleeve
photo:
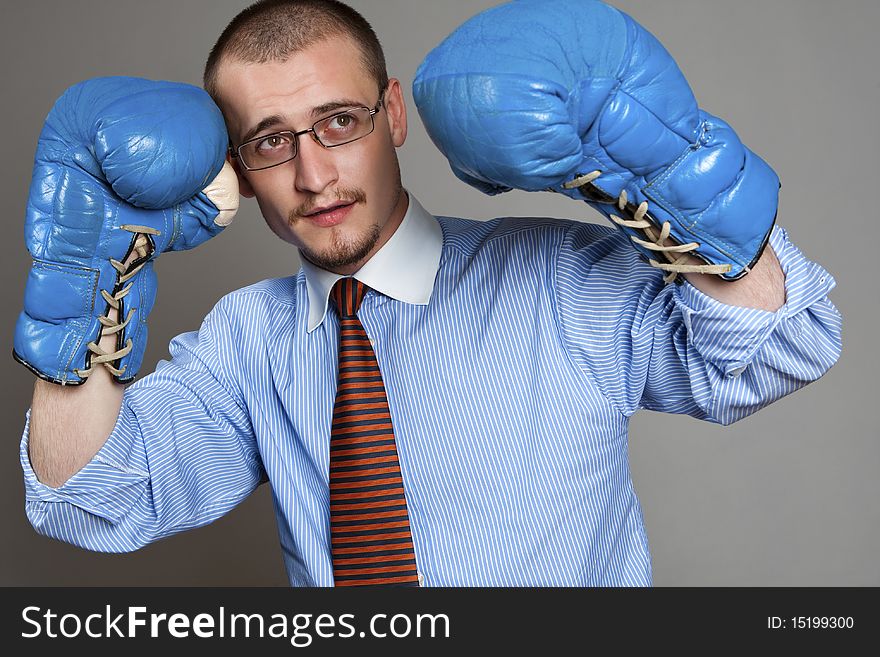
[70, 424]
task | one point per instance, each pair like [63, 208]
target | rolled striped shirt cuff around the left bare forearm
[106, 487]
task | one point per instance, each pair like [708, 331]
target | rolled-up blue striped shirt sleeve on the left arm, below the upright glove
[182, 454]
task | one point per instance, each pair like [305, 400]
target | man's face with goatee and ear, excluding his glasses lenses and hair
[337, 205]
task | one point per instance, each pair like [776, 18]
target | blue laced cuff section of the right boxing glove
[716, 201]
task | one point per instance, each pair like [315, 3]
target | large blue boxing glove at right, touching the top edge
[575, 97]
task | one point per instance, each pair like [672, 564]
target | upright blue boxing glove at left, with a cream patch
[125, 169]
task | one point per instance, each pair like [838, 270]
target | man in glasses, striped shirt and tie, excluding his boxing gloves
[511, 356]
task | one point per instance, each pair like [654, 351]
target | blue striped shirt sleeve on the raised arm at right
[674, 349]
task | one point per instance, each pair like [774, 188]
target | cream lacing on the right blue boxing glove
[676, 254]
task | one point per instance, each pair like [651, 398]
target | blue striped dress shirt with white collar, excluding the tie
[514, 352]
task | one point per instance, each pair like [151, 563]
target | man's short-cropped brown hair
[273, 30]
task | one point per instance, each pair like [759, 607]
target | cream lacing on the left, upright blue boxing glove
[141, 249]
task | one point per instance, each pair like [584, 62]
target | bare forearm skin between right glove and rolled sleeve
[762, 288]
